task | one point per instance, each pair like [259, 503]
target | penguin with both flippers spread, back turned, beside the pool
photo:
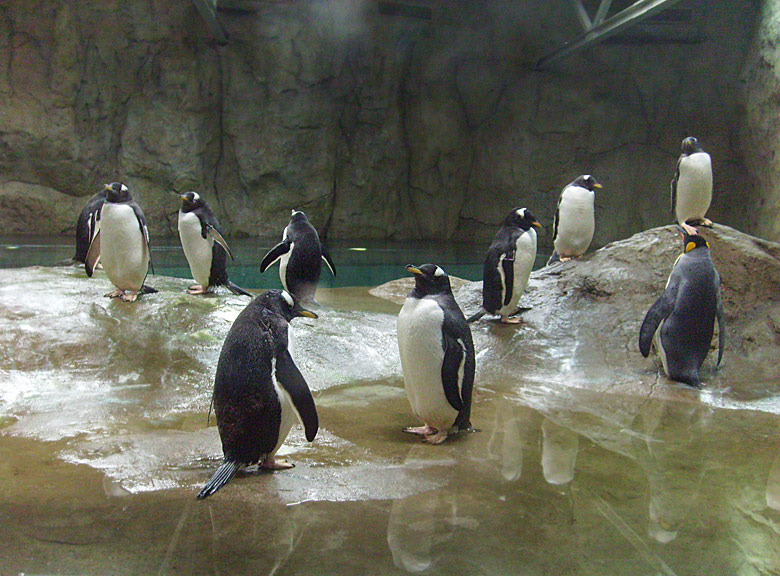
[300, 253]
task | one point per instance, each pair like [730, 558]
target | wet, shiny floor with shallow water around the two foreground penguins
[104, 443]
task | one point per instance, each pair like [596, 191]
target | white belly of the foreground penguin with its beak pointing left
[420, 345]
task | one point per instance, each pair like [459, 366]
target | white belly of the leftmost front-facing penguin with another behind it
[123, 250]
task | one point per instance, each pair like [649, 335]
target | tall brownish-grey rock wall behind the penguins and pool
[377, 126]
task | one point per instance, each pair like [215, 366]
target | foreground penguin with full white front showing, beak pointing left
[437, 355]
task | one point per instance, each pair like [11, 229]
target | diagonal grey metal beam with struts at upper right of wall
[601, 28]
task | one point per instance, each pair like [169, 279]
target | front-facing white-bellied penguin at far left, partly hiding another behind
[121, 244]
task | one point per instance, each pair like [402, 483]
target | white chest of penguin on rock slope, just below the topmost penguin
[576, 221]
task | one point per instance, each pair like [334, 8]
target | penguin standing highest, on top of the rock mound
[691, 186]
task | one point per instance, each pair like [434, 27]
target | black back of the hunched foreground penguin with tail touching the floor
[245, 401]
